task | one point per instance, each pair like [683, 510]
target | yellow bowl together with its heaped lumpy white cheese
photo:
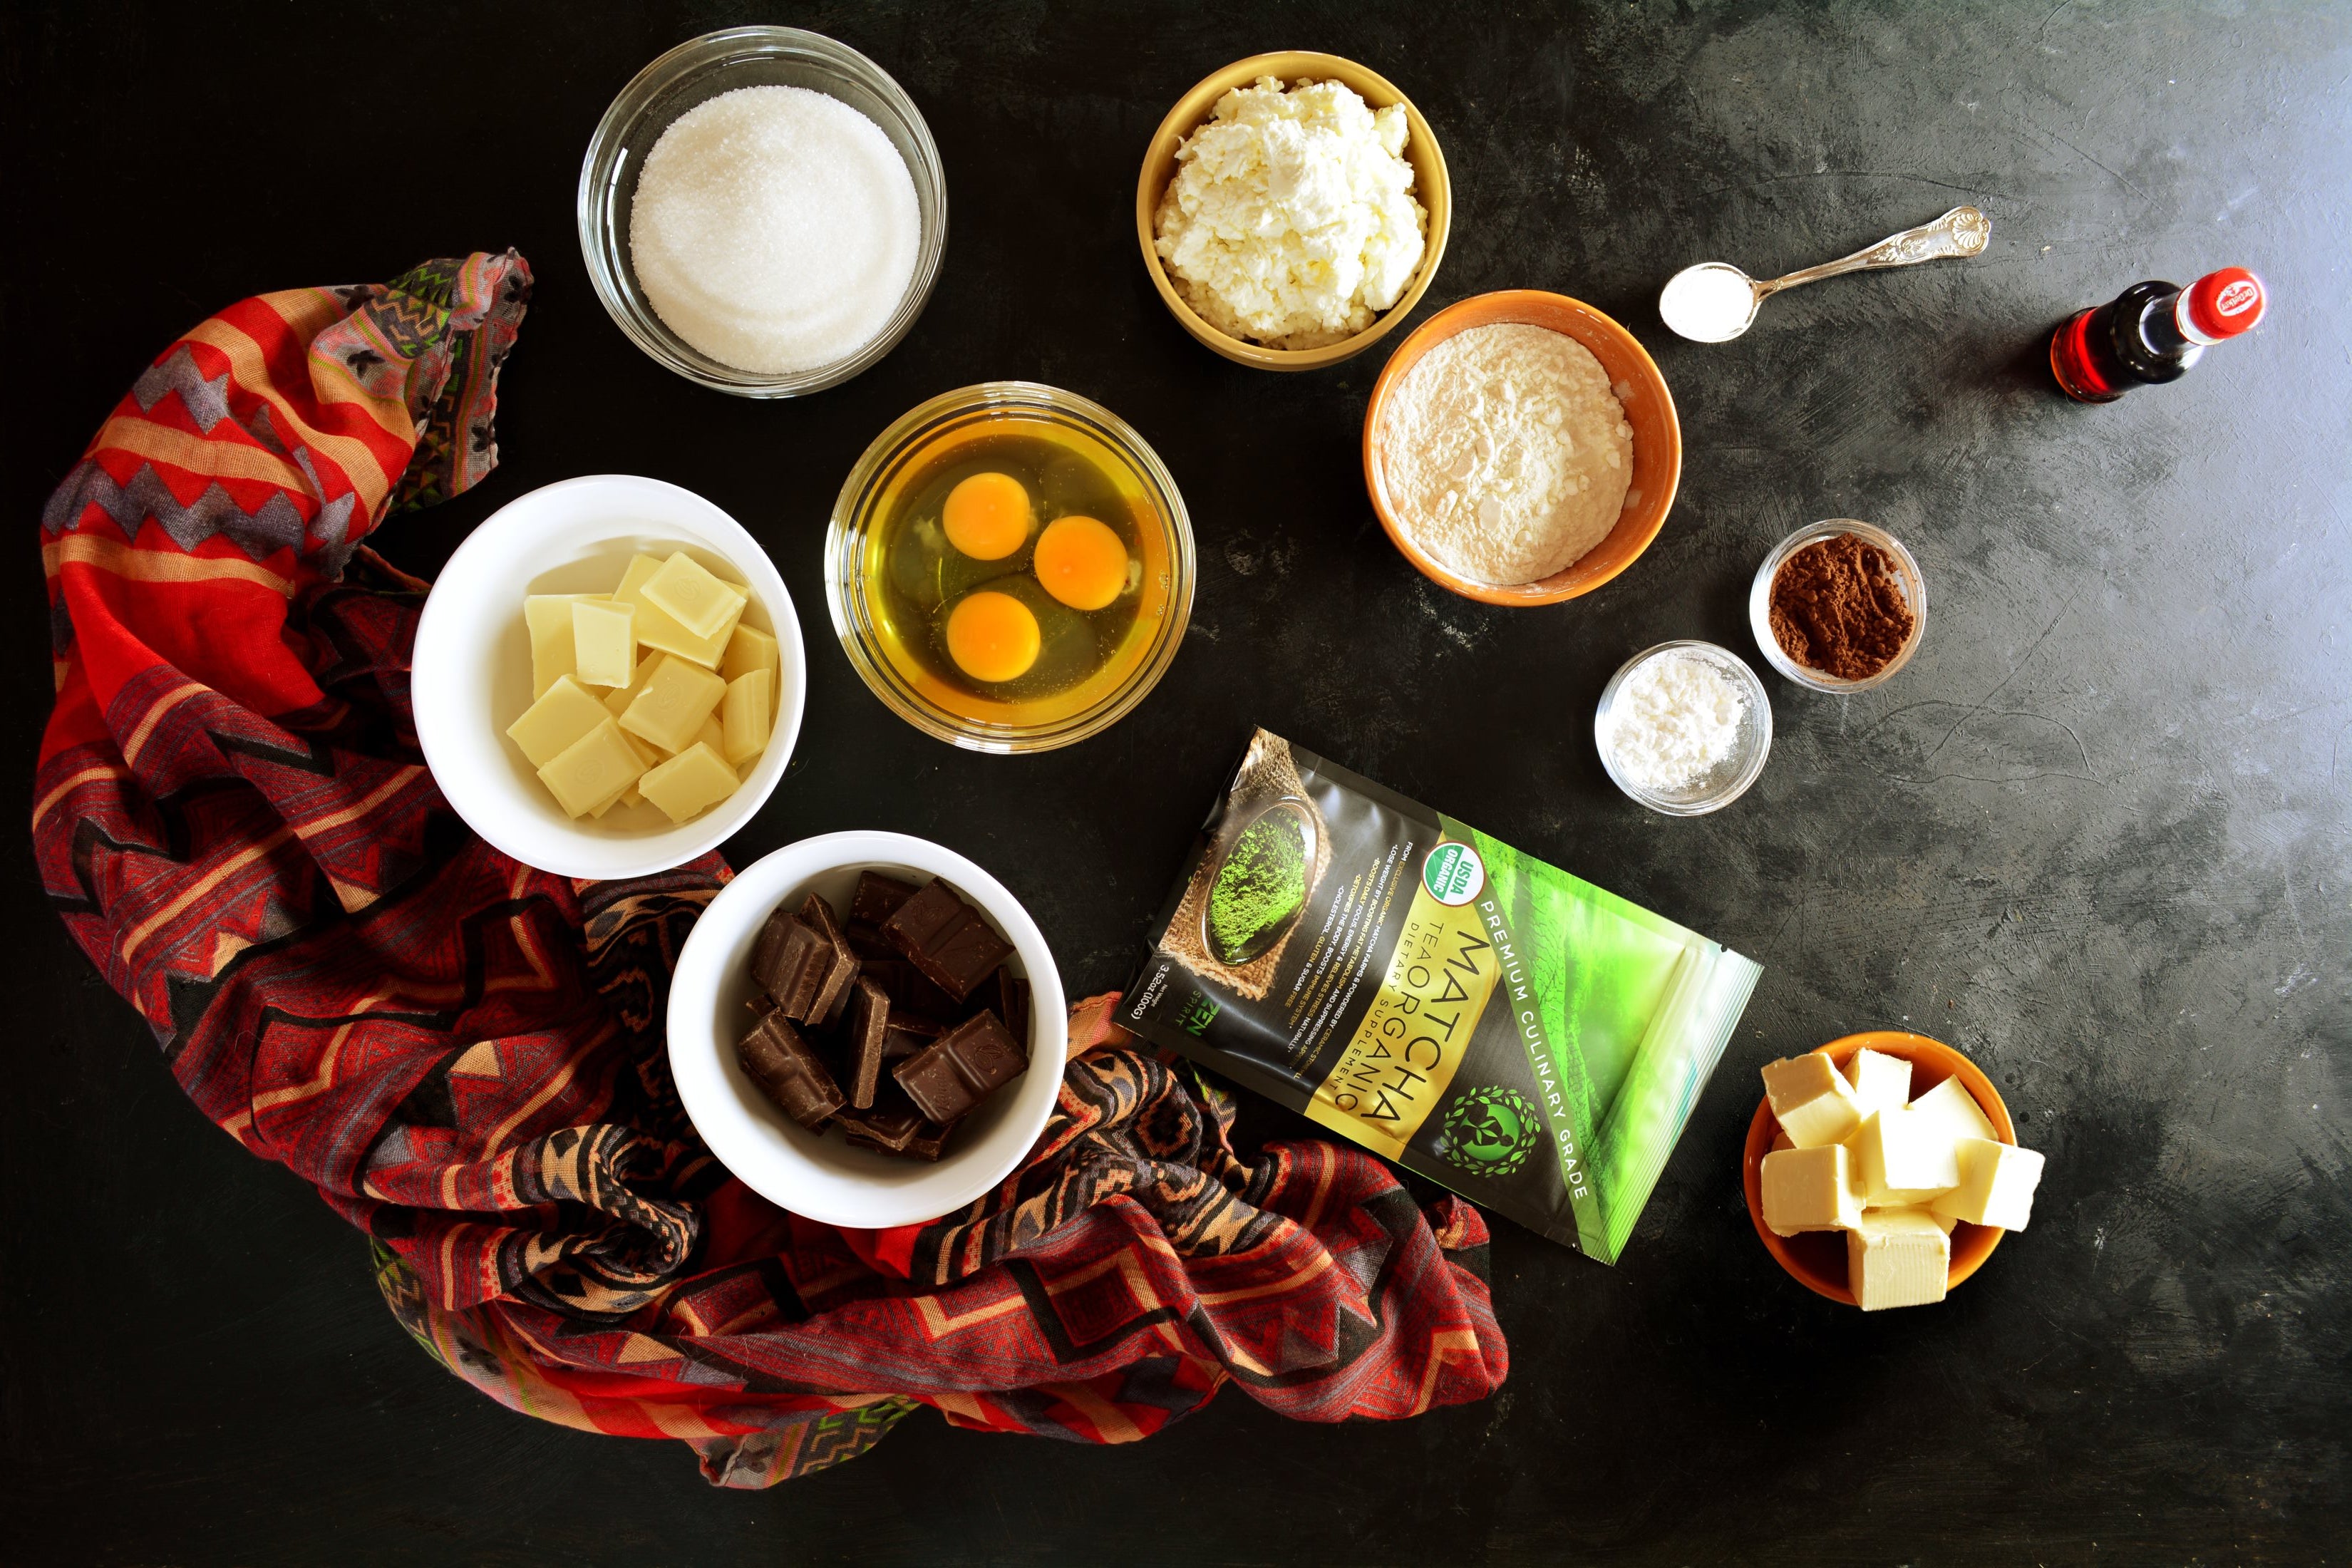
[1231, 180]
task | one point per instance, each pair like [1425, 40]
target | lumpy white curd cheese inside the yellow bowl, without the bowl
[1292, 215]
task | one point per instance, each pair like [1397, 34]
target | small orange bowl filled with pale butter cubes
[1840, 1186]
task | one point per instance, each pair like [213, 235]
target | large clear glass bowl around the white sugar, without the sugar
[693, 74]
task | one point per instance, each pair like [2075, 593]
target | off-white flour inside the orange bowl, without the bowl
[1506, 455]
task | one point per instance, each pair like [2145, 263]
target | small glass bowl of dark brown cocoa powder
[1838, 605]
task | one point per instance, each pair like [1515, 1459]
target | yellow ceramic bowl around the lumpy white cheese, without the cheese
[1292, 67]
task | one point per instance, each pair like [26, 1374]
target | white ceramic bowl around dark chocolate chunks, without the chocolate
[820, 1174]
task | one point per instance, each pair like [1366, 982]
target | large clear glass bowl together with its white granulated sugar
[763, 210]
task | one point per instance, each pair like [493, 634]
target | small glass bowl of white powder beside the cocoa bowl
[1685, 728]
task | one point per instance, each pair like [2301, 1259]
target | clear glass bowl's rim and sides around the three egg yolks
[902, 457]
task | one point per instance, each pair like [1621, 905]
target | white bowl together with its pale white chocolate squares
[516, 657]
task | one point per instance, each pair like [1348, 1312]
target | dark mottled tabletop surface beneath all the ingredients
[2097, 833]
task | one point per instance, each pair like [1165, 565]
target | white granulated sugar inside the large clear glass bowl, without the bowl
[775, 229]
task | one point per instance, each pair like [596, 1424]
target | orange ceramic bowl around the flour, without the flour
[1641, 389]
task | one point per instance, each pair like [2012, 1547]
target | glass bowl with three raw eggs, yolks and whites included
[1010, 568]
